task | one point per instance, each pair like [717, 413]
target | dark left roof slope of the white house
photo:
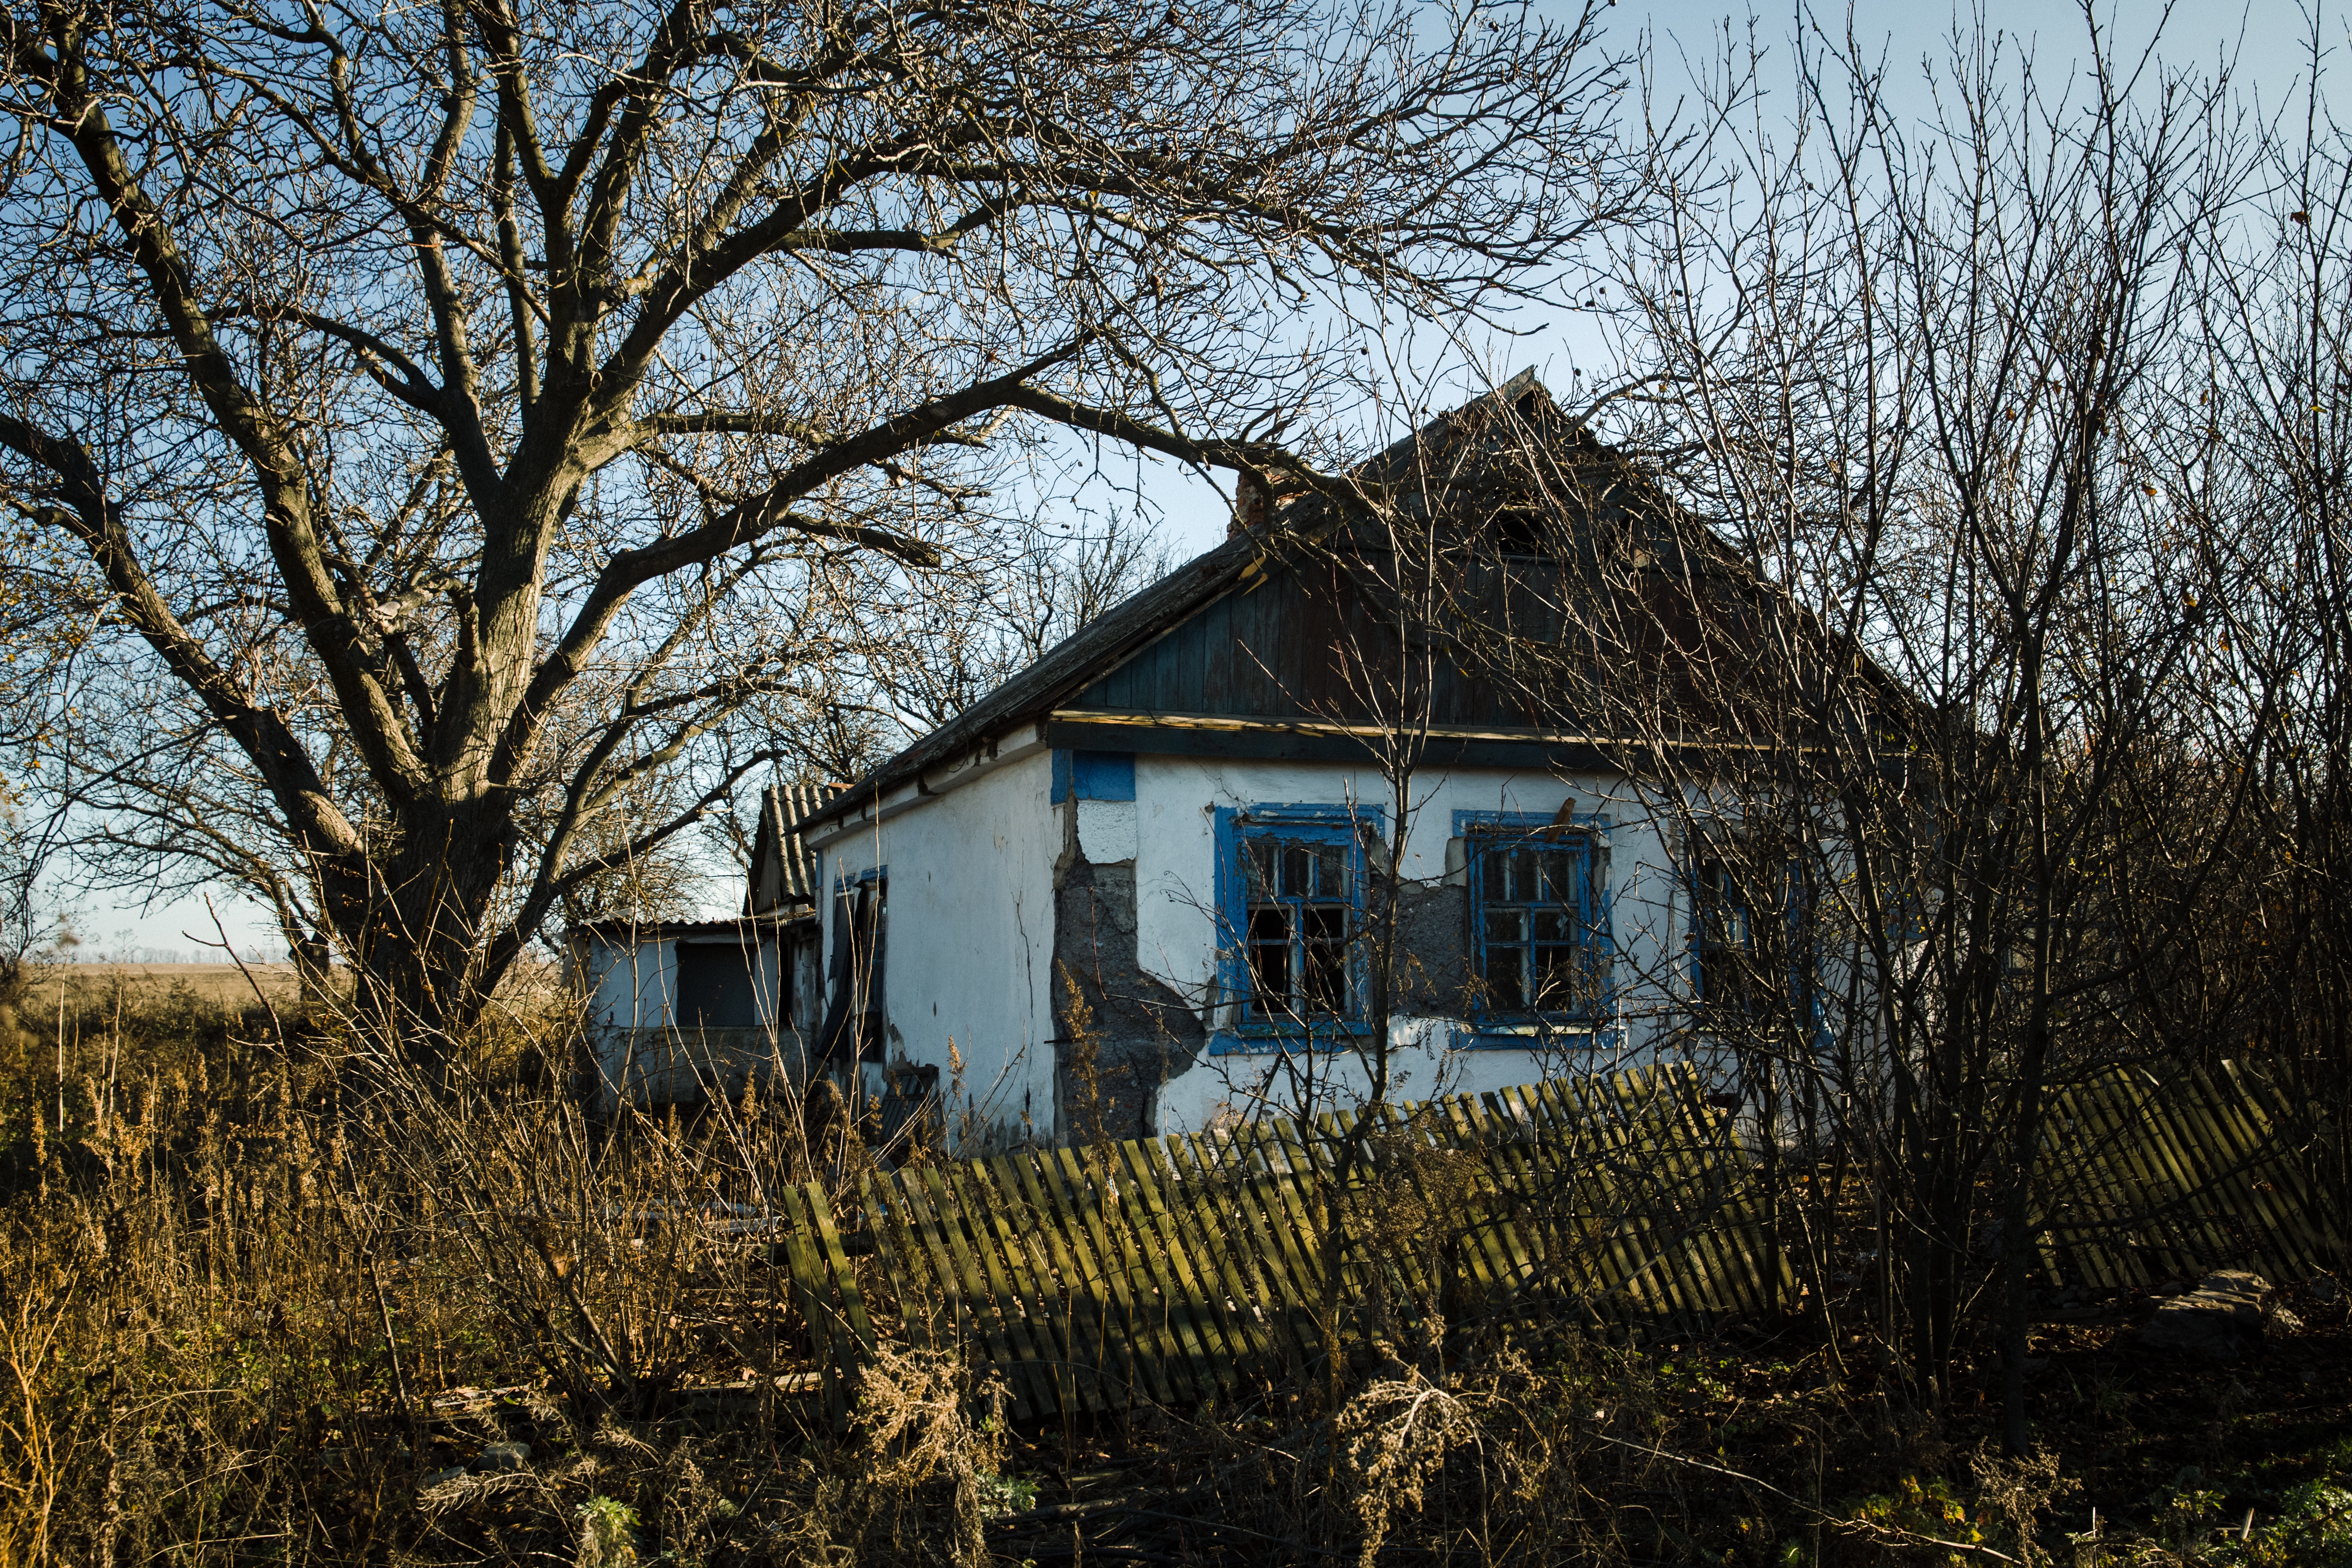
[1130, 624]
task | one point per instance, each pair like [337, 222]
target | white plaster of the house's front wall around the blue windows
[1177, 932]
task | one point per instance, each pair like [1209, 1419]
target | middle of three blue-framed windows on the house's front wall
[1539, 918]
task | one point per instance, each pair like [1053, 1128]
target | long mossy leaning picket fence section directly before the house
[1189, 1271]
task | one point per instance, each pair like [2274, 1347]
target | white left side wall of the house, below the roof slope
[970, 942]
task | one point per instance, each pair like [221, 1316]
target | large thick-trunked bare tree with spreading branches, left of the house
[469, 413]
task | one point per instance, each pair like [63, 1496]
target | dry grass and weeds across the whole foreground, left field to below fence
[269, 1306]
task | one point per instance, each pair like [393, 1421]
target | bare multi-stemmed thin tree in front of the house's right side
[1937, 676]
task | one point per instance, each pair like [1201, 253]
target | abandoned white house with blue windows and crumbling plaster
[1125, 892]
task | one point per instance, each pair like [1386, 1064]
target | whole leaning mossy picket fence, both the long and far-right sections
[1189, 1271]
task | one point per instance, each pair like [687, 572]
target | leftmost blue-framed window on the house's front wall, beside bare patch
[1290, 923]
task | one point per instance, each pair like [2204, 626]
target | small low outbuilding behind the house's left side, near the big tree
[688, 1010]
